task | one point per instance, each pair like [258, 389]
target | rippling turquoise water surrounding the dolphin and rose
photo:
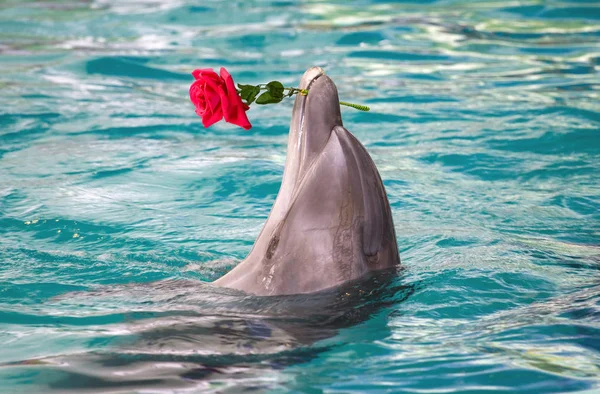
[115, 203]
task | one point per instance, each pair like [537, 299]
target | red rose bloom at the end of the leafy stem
[215, 97]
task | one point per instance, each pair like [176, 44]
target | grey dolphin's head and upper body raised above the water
[331, 221]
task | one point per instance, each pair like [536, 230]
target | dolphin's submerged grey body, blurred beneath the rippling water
[199, 335]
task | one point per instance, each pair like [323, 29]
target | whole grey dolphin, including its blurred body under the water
[329, 227]
